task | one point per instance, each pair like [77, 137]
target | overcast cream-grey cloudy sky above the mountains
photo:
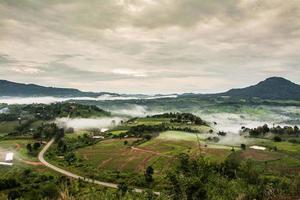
[149, 46]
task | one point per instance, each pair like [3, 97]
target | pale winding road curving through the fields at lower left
[71, 175]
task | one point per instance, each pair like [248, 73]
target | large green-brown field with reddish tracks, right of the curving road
[114, 155]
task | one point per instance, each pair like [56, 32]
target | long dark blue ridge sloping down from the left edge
[13, 89]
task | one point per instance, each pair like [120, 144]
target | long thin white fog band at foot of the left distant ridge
[49, 100]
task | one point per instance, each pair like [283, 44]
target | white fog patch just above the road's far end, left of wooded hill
[85, 123]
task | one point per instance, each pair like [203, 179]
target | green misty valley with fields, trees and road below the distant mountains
[142, 148]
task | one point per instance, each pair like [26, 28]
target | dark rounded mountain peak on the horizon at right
[271, 88]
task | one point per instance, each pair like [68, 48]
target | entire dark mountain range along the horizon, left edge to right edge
[271, 88]
